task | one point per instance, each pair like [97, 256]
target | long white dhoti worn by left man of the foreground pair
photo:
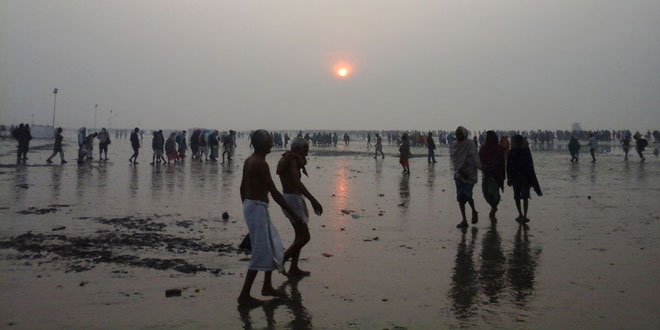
[267, 248]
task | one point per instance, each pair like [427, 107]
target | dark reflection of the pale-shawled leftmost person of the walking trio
[463, 290]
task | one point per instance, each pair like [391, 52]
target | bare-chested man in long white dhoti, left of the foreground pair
[267, 249]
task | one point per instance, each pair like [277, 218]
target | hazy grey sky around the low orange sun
[269, 64]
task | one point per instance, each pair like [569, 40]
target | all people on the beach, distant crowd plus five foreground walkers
[499, 160]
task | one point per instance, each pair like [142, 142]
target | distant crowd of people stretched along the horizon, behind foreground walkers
[210, 145]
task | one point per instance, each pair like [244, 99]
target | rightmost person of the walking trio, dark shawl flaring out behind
[521, 175]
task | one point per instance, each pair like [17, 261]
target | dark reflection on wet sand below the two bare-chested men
[302, 319]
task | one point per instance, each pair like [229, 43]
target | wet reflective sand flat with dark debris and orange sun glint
[590, 258]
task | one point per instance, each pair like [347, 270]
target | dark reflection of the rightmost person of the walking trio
[522, 263]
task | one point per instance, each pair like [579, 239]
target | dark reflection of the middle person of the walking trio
[491, 272]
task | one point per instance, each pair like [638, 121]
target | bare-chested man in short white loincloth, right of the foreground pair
[293, 191]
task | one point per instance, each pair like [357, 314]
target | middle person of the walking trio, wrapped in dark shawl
[491, 156]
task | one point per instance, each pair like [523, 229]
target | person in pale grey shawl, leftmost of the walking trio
[465, 162]
